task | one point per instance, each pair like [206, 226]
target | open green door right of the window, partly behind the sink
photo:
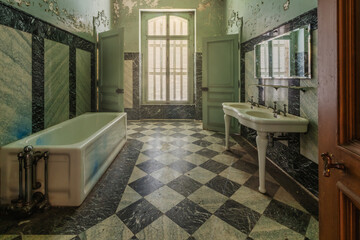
[220, 79]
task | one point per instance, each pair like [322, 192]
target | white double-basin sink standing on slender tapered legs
[263, 121]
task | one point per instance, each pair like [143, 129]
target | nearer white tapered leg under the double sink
[262, 142]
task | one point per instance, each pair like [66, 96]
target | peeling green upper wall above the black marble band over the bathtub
[75, 16]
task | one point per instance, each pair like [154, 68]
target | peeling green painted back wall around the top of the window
[210, 17]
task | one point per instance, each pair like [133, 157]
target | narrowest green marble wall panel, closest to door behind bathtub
[83, 81]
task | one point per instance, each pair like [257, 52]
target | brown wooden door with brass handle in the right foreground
[339, 121]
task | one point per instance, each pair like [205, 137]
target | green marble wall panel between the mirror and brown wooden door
[309, 107]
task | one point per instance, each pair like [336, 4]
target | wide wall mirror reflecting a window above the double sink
[284, 57]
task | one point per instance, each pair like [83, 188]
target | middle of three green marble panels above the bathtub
[56, 83]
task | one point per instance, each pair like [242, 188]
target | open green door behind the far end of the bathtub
[111, 69]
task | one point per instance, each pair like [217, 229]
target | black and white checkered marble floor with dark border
[184, 185]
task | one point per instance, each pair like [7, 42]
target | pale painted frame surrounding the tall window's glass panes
[146, 14]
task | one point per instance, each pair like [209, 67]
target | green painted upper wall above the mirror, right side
[261, 16]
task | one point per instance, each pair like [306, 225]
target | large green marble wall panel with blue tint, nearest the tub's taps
[15, 85]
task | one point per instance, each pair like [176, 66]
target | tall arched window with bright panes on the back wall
[168, 58]
